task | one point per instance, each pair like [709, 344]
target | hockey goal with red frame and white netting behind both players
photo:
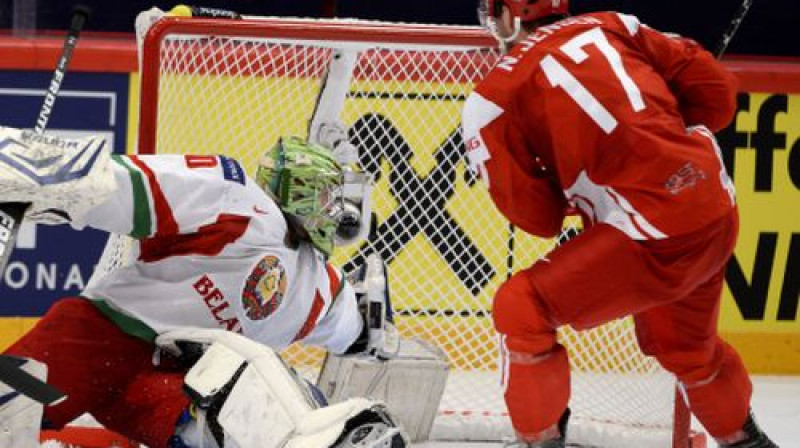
[233, 87]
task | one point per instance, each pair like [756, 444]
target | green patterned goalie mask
[306, 182]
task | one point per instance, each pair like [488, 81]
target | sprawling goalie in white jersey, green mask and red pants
[219, 261]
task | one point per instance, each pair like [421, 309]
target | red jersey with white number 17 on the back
[602, 113]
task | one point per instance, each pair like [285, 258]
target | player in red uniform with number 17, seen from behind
[607, 116]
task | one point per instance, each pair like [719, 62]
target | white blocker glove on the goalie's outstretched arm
[63, 178]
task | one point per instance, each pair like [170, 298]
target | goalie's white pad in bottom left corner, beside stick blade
[20, 416]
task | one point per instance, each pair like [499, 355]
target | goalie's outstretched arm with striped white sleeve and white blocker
[81, 182]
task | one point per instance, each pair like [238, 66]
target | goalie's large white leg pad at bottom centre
[246, 396]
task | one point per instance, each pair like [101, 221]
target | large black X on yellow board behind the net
[422, 200]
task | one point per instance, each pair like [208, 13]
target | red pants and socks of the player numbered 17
[672, 288]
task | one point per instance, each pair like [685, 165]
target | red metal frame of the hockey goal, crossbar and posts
[311, 32]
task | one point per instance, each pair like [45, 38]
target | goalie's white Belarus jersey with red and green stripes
[211, 252]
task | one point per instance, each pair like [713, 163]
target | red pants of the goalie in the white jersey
[104, 372]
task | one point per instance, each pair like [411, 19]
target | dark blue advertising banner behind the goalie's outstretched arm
[53, 261]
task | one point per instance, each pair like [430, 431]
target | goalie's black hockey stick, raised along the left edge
[11, 214]
